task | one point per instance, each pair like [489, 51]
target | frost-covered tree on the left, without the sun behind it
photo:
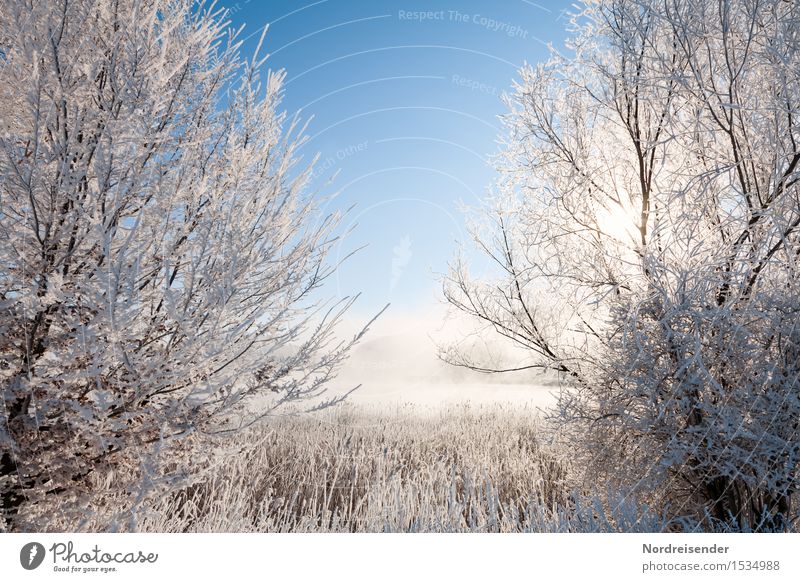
[159, 248]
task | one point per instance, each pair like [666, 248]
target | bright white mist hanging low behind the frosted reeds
[397, 363]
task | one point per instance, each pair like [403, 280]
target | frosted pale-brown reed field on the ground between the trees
[463, 468]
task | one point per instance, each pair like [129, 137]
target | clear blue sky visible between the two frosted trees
[405, 98]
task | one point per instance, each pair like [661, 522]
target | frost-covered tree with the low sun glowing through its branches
[646, 237]
